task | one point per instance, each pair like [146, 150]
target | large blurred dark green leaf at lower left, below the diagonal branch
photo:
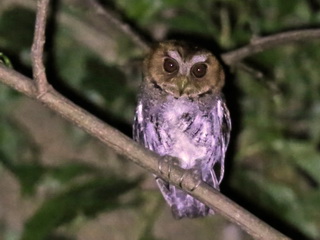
[88, 199]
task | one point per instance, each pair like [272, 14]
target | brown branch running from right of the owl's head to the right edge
[261, 44]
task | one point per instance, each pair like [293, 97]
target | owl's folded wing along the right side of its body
[222, 135]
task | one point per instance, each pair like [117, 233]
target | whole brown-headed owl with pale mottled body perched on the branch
[181, 114]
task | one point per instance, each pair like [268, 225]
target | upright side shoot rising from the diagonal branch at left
[39, 74]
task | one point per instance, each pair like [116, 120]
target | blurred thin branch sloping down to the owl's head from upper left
[124, 27]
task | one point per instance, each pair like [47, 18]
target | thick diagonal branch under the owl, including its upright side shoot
[121, 143]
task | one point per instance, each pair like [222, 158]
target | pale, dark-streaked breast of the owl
[185, 130]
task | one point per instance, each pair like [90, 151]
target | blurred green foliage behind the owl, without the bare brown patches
[274, 162]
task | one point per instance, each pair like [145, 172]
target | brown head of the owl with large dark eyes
[183, 70]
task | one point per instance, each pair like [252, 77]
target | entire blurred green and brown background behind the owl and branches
[58, 183]
